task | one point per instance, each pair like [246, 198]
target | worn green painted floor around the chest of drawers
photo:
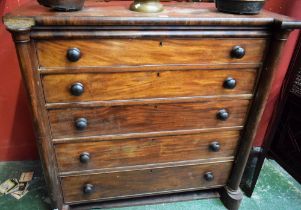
[275, 190]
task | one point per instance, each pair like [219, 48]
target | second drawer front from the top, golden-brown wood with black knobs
[139, 85]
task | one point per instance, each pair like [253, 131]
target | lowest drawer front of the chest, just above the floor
[140, 182]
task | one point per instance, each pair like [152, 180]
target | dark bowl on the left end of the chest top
[63, 5]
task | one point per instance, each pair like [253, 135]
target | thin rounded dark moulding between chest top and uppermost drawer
[164, 32]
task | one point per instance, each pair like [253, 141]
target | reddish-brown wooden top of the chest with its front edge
[97, 13]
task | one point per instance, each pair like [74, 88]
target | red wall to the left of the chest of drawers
[16, 131]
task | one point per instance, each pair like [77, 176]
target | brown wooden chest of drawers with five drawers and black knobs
[129, 105]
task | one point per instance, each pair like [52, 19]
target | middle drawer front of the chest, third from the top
[76, 122]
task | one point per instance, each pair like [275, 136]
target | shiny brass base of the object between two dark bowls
[147, 6]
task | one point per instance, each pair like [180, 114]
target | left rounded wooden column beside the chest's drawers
[30, 75]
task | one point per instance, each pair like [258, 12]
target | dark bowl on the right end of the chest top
[250, 7]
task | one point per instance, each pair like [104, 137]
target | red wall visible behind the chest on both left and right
[16, 131]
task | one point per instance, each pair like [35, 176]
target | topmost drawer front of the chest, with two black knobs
[135, 52]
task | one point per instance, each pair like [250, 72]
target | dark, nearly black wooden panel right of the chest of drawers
[284, 140]
